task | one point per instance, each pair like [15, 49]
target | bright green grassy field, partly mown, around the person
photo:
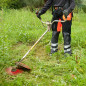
[19, 30]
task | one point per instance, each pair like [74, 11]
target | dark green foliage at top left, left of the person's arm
[20, 3]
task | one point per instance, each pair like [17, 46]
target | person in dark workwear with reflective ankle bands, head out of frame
[60, 8]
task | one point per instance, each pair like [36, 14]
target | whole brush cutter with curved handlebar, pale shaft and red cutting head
[20, 67]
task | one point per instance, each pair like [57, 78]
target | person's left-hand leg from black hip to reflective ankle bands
[55, 34]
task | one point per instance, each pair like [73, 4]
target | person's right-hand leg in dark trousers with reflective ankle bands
[66, 30]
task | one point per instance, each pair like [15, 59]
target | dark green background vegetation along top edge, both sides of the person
[33, 3]
